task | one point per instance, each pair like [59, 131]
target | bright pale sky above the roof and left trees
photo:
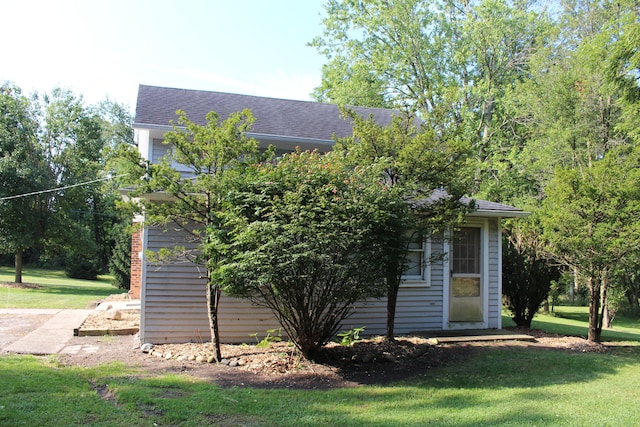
[106, 48]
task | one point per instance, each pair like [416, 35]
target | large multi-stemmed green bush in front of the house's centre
[305, 238]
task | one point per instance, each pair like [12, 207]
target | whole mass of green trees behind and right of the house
[547, 95]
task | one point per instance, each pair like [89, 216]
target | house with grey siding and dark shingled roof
[463, 291]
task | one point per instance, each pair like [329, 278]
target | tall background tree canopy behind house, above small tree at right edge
[532, 87]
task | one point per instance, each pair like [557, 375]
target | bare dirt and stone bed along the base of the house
[370, 361]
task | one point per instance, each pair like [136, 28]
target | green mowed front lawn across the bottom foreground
[501, 385]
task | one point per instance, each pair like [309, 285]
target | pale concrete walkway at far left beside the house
[52, 336]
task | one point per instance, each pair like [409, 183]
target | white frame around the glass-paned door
[483, 225]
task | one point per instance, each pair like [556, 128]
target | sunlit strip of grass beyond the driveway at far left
[56, 290]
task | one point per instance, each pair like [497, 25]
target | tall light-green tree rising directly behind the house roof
[454, 63]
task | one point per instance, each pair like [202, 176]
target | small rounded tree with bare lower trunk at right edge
[591, 224]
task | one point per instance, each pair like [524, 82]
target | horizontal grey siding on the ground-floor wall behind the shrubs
[175, 309]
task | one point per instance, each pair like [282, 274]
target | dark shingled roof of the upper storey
[156, 106]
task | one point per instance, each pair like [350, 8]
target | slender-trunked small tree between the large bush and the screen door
[415, 163]
